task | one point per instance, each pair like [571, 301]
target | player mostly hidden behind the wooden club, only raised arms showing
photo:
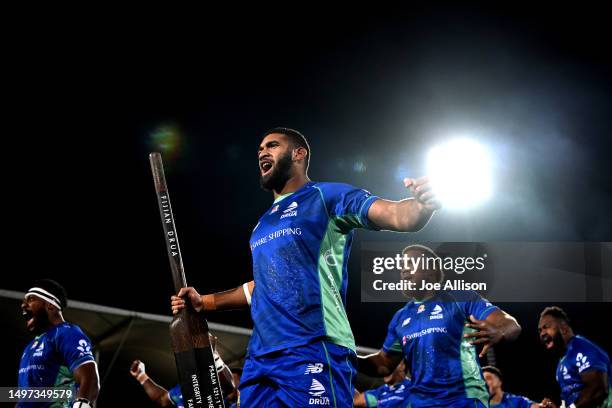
[173, 397]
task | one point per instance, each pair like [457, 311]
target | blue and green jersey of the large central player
[300, 250]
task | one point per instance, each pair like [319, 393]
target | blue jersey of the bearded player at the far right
[582, 355]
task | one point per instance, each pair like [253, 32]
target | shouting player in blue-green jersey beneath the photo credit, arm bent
[436, 333]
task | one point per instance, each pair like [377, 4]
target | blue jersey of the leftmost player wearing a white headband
[50, 359]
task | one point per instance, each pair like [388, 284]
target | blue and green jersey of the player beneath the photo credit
[444, 366]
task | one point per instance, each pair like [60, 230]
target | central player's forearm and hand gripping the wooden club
[236, 298]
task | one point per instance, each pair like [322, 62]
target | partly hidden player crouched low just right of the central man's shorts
[392, 394]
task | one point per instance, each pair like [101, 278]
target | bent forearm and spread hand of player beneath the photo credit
[498, 326]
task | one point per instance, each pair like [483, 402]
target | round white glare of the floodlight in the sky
[460, 173]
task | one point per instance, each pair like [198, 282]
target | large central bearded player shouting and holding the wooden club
[302, 350]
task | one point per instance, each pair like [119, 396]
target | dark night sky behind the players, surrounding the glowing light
[380, 88]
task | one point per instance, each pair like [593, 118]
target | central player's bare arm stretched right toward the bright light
[407, 215]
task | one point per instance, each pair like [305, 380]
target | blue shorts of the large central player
[320, 374]
